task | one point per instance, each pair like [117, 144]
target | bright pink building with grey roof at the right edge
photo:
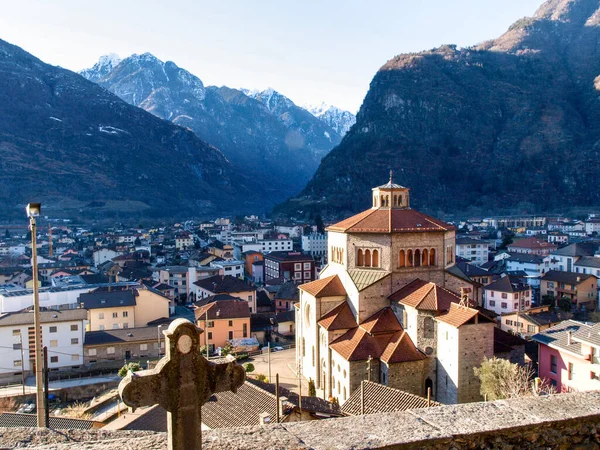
[569, 356]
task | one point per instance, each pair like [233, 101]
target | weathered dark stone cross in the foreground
[181, 383]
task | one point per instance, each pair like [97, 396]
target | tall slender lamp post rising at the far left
[33, 210]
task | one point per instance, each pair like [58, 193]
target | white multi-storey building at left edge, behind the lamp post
[63, 333]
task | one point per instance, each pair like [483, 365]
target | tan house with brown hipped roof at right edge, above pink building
[580, 289]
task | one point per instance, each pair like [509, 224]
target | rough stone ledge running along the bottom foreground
[531, 423]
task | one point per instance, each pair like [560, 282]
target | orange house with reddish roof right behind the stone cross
[223, 318]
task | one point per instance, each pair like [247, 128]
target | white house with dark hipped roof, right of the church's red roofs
[506, 295]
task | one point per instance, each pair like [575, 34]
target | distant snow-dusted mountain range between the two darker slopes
[263, 134]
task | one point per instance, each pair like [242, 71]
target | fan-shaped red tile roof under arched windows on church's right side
[425, 296]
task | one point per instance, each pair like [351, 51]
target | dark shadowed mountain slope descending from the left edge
[84, 152]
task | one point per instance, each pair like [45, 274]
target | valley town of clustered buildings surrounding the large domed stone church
[387, 310]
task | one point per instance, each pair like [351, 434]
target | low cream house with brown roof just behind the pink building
[531, 322]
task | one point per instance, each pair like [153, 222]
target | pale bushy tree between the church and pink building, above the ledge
[502, 379]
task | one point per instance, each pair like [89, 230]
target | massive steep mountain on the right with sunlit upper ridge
[510, 125]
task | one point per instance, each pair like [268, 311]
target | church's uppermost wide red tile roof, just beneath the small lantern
[378, 221]
